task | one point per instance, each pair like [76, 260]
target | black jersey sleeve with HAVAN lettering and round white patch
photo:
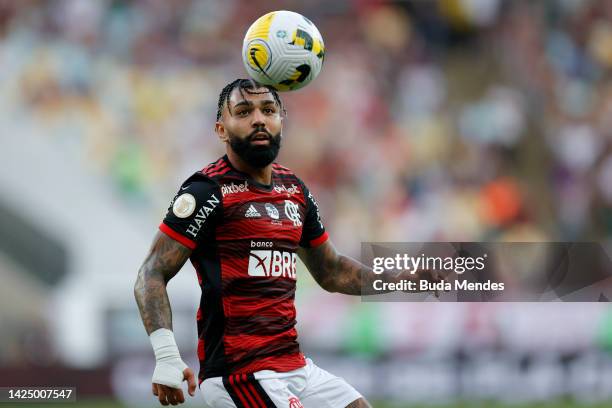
[193, 211]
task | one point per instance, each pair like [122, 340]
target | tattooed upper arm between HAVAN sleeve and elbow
[166, 257]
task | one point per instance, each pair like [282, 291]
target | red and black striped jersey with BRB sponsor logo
[244, 237]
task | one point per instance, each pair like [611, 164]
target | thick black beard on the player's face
[256, 156]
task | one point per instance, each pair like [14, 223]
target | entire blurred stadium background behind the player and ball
[449, 120]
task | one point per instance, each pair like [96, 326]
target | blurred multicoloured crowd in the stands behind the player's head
[442, 120]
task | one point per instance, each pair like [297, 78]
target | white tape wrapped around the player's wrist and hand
[170, 366]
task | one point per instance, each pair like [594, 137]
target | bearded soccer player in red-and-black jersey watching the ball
[242, 221]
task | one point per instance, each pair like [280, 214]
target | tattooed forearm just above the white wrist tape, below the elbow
[152, 298]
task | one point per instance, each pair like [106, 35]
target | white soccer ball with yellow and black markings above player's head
[283, 49]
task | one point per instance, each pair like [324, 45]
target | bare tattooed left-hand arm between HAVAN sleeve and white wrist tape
[164, 260]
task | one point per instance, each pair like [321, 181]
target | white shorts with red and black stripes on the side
[306, 387]
